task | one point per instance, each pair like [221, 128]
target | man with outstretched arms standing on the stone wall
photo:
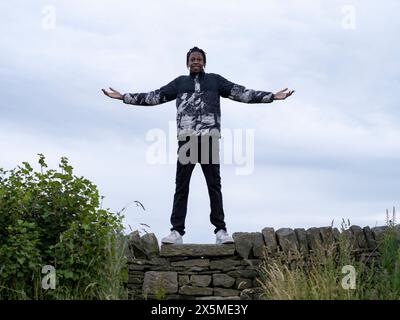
[198, 122]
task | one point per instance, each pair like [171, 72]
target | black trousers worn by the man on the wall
[203, 150]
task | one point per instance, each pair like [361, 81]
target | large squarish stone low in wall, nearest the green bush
[155, 281]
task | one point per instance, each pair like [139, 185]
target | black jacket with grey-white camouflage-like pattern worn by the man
[198, 101]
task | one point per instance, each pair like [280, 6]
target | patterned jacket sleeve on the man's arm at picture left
[159, 96]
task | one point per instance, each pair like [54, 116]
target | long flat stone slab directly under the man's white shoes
[197, 250]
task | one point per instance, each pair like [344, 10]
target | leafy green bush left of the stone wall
[53, 218]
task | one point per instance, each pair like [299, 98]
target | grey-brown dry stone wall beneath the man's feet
[228, 271]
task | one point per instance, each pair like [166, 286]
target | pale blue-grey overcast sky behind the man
[328, 152]
